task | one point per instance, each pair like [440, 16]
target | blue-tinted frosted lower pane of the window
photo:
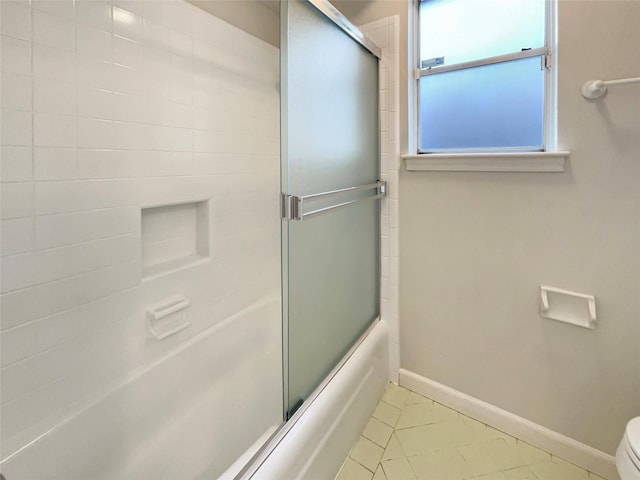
[499, 105]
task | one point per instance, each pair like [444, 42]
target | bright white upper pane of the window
[465, 30]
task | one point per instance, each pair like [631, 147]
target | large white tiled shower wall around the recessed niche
[109, 106]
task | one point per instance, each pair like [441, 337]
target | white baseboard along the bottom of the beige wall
[559, 445]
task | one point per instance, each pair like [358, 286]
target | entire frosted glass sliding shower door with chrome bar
[330, 173]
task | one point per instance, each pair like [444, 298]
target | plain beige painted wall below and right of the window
[476, 246]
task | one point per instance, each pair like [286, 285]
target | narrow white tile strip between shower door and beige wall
[385, 33]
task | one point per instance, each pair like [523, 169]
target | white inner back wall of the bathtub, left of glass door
[190, 414]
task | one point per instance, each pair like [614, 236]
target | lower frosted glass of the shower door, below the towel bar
[333, 291]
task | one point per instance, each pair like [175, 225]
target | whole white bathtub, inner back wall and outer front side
[192, 414]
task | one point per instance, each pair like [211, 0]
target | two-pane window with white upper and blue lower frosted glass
[482, 75]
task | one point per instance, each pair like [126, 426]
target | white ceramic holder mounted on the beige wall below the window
[569, 307]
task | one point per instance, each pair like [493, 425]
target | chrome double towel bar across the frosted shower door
[293, 205]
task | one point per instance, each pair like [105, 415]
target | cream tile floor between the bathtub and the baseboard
[410, 437]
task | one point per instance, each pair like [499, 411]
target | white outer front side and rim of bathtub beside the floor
[321, 436]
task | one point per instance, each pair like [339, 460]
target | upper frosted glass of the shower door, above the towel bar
[332, 105]
